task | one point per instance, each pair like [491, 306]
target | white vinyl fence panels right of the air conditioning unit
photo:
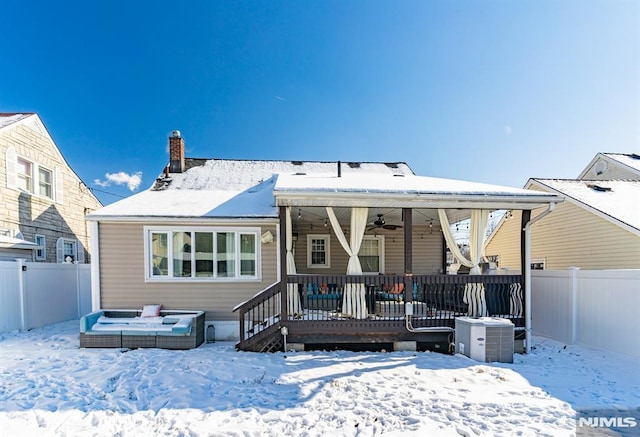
[596, 308]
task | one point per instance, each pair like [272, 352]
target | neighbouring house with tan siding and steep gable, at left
[44, 201]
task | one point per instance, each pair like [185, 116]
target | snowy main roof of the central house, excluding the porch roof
[225, 188]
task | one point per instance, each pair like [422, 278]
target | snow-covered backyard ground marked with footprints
[48, 386]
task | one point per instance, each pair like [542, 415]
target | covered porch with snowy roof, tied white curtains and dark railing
[407, 221]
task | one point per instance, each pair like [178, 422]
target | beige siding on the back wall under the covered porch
[427, 251]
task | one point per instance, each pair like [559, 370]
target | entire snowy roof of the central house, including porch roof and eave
[245, 189]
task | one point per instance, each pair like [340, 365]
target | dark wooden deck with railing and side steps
[437, 300]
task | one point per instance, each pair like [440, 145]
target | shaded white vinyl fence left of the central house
[33, 295]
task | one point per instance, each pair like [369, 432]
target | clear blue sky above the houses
[485, 91]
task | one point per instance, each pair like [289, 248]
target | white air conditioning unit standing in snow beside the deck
[485, 339]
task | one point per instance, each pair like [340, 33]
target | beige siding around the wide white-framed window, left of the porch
[122, 281]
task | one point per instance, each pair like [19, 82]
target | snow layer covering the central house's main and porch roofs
[246, 189]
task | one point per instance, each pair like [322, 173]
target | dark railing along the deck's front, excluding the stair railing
[436, 297]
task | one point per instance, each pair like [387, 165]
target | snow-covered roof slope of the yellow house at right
[617, 199]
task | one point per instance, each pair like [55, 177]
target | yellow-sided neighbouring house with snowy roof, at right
[597, 227]
